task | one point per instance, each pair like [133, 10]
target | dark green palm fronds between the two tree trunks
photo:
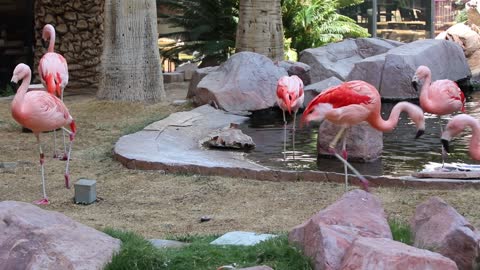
[209, 28]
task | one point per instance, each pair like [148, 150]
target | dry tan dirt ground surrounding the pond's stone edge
[160, 205]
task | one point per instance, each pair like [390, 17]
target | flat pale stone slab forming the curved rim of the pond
[172, 146]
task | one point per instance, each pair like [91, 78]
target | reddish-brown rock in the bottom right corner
[439, 227]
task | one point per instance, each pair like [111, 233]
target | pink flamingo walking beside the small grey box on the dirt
[40, 111]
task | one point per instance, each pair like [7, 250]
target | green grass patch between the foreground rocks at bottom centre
[137, 253]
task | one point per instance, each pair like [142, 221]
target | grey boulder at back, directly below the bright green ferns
[338, 59]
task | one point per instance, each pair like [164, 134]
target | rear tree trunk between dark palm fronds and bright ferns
[260, 28]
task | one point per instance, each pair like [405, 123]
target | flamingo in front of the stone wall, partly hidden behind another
[53, 71]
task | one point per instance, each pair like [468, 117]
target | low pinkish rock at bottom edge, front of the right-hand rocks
[381, 253]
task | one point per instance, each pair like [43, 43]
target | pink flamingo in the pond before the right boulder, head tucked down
[440, 97]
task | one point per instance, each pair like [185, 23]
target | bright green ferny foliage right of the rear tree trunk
[313, 23]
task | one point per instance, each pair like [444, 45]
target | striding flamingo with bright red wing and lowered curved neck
[351, 103]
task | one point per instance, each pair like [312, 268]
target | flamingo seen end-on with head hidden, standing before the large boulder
[289, 98]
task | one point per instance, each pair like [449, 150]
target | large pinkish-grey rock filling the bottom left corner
[33, 238]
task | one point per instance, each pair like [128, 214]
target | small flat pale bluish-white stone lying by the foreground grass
[239, 238]
